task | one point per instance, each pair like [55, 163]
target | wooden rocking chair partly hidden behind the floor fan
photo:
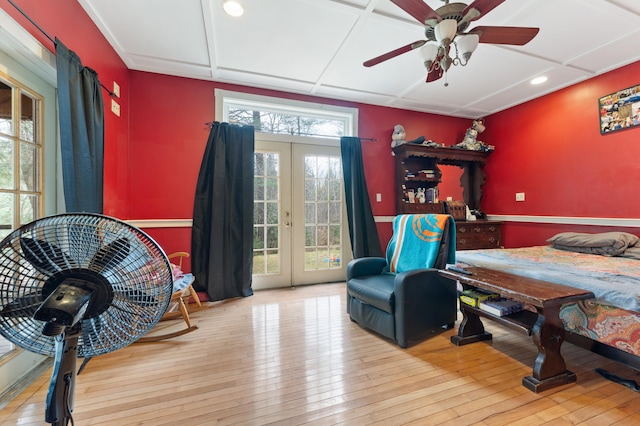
[179, 304]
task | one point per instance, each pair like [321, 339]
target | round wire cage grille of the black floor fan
[132, 263]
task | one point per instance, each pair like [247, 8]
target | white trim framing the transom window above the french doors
[226, 98]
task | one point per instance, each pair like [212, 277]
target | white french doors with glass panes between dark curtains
[300, 231]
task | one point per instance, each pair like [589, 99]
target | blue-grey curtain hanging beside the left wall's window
[81, 111]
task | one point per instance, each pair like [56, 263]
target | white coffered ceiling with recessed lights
[317, 47]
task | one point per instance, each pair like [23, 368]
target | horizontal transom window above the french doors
[287, 117]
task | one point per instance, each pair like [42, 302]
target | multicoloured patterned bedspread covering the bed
[612, 318]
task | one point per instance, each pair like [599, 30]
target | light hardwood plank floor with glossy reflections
[293, 357]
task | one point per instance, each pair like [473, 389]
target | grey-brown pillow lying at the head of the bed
[606, 243]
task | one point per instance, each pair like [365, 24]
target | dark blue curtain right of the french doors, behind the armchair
[363, 232]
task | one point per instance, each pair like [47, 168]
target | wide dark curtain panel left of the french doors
[222, 233]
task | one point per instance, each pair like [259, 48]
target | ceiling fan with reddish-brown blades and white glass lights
[447, 26]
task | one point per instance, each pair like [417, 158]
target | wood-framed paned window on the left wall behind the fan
[20, 156]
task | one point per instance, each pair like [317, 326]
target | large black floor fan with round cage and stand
[79, 285]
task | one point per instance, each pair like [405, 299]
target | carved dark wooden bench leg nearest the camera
[549, 369]
